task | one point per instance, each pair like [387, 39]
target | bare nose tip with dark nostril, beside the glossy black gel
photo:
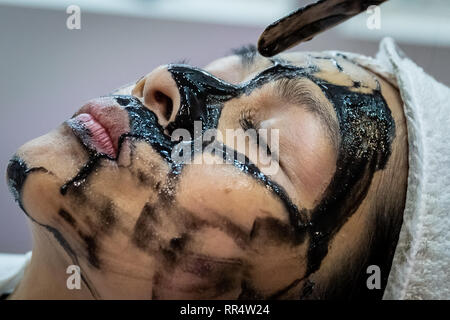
[160, 94]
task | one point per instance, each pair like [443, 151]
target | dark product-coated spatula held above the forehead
[307, 22]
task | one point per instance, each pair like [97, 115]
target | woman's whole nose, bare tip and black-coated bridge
[181, 95]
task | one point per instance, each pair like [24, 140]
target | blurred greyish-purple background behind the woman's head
[47, 72]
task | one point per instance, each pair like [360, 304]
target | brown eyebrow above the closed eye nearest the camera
[299, 92]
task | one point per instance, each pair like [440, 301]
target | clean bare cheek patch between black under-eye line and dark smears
[218, 192]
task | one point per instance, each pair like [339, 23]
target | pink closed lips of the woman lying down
[99, 124]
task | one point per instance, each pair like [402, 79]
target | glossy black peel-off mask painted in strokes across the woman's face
[366, 127]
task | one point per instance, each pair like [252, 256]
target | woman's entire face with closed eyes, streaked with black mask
[218, 222]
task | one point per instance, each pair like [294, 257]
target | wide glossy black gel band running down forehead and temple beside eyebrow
[367, 130]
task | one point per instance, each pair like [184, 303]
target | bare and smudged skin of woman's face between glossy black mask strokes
[212, 230]
